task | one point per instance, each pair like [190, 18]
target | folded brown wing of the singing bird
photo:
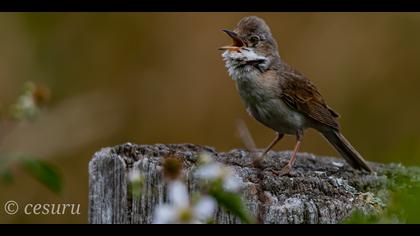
[299, 93]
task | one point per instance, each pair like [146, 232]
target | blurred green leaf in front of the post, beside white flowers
[231, 202]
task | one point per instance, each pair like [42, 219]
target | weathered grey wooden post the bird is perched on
[319, 190]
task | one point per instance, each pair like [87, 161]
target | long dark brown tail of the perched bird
[340, 143]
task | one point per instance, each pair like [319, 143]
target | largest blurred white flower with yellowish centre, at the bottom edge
[181, 210]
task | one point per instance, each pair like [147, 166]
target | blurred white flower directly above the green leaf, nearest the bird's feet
[213, 171]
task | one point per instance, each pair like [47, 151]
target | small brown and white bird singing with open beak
[279, 96]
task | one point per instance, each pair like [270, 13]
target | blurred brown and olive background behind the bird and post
[159, 78]
